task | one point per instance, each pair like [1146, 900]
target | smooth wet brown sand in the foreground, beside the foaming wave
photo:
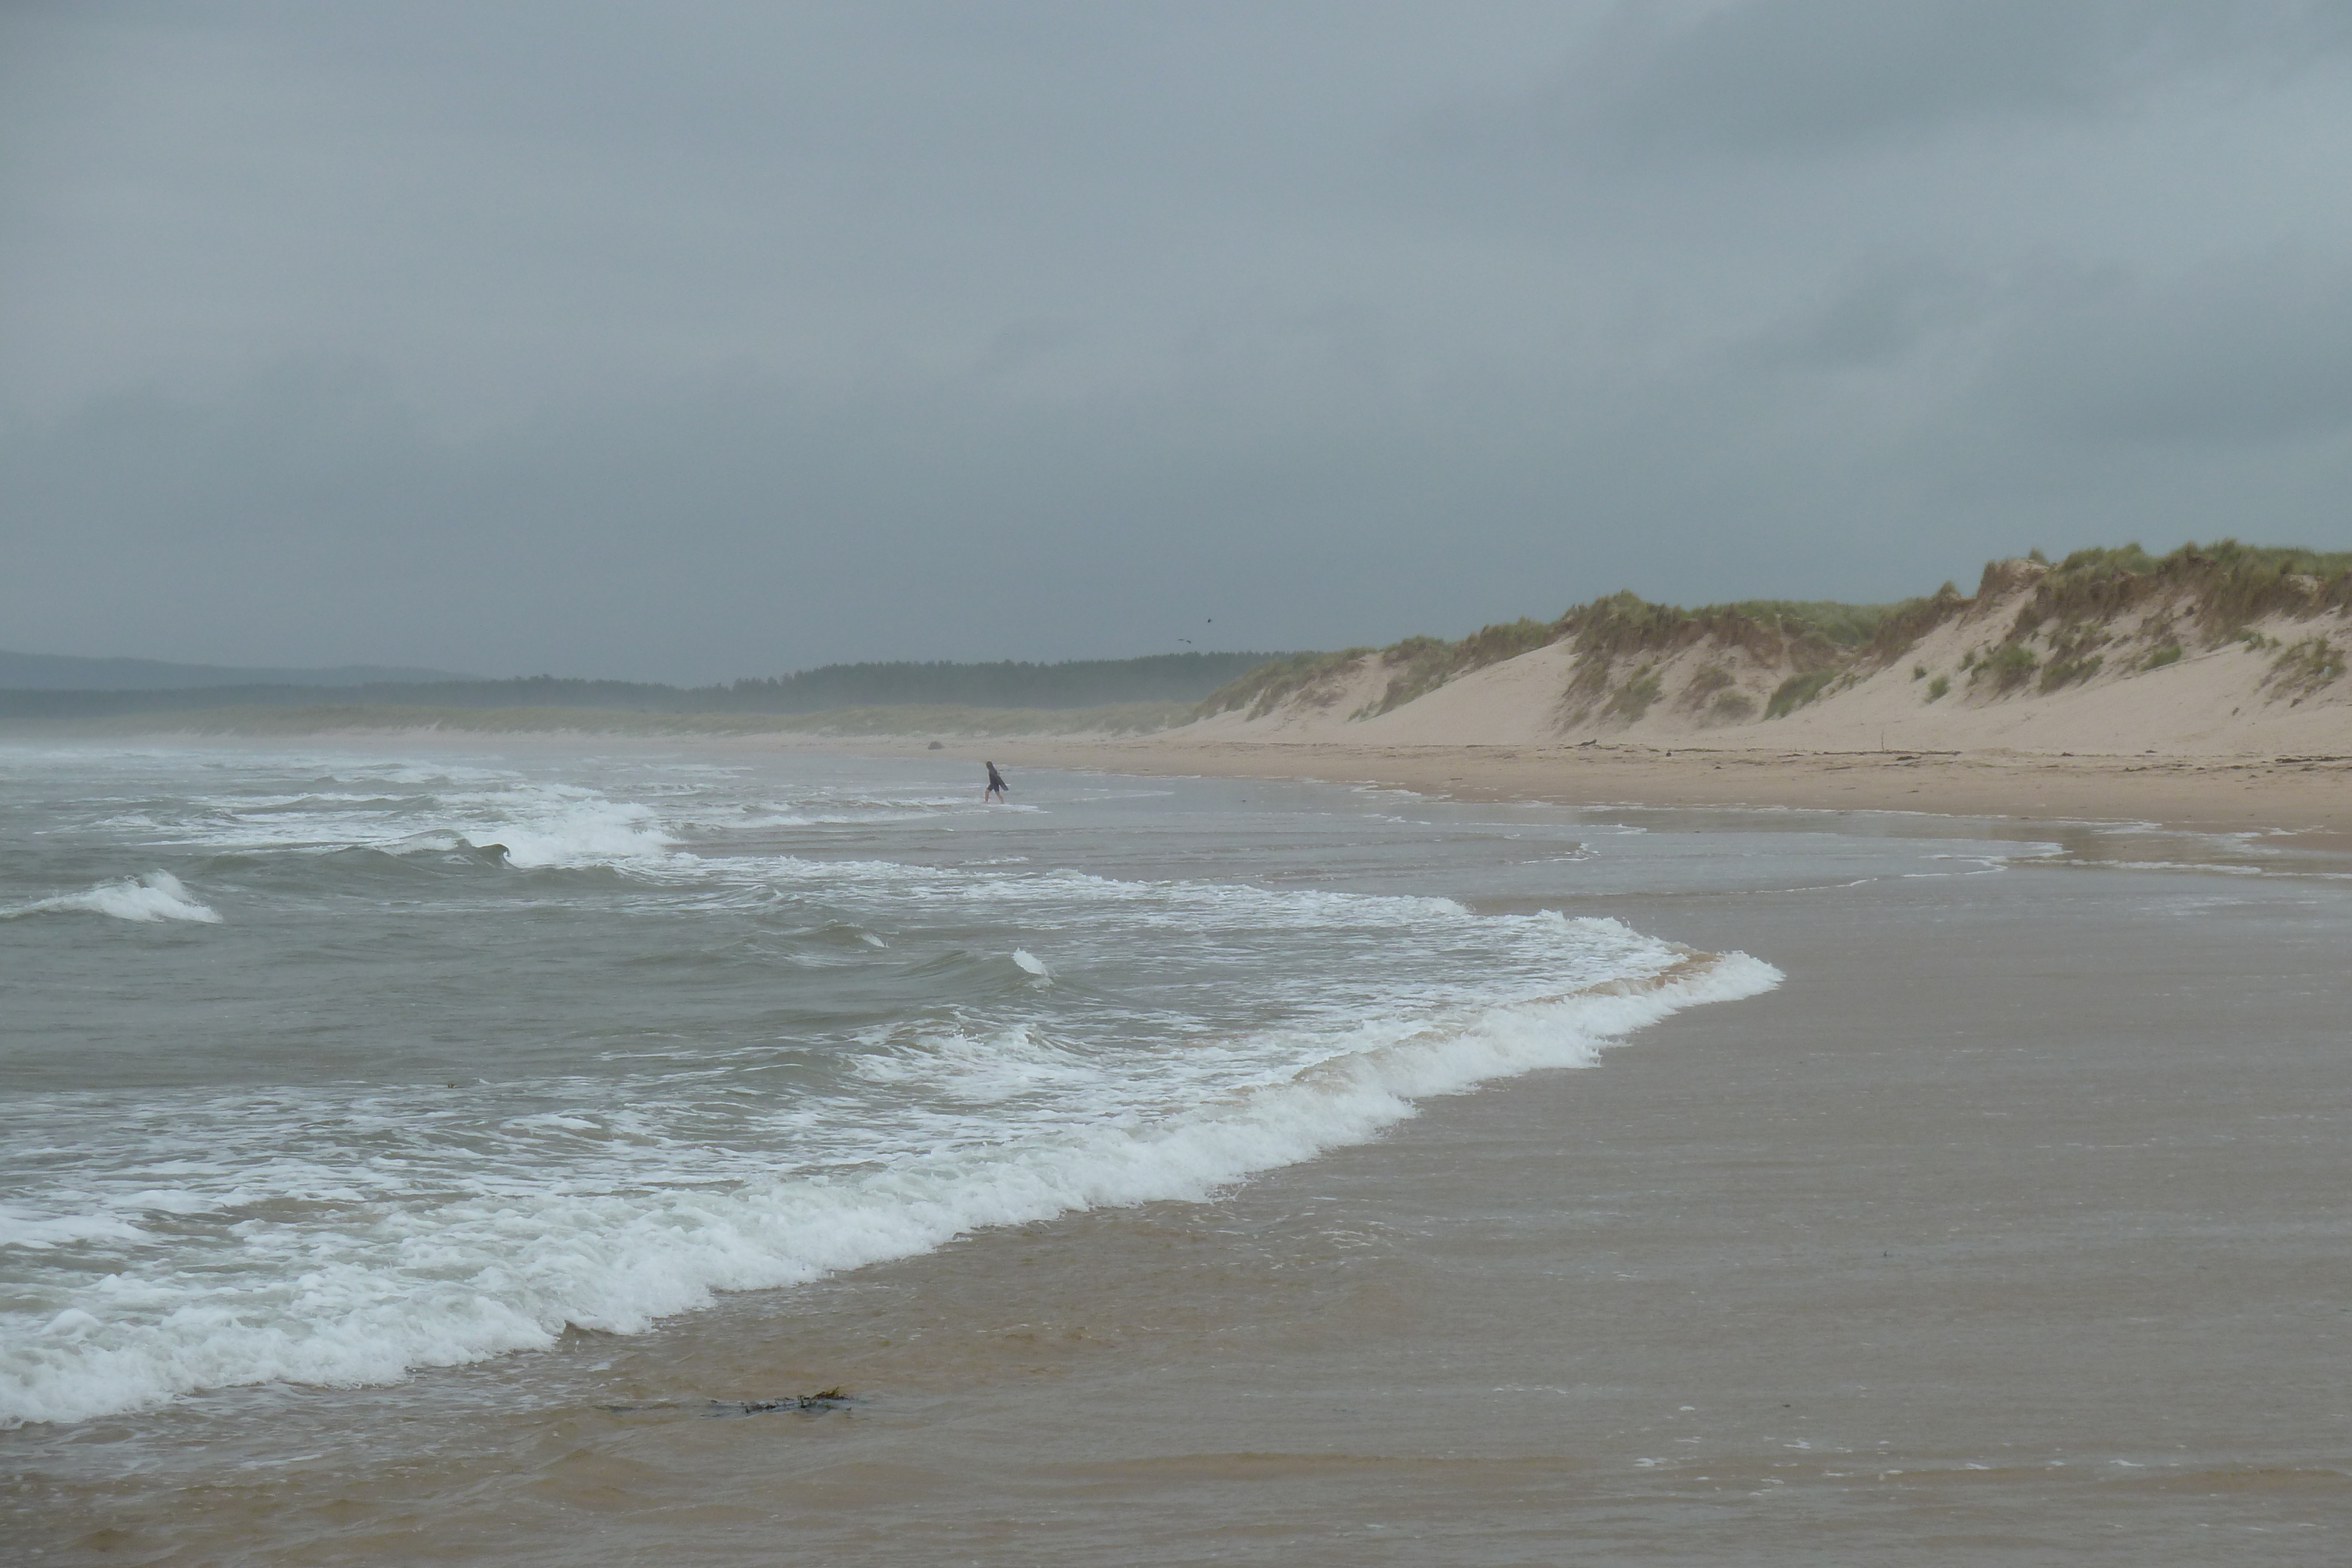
[2010, 1231]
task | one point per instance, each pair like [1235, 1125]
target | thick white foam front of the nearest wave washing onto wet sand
[493, 1275]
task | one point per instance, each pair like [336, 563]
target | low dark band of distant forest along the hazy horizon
[1081, 683]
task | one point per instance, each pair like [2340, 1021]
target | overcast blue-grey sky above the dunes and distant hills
[695, 340]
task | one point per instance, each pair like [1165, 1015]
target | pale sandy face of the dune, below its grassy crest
[2163, 674]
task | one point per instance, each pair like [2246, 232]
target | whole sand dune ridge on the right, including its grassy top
[2224, 652]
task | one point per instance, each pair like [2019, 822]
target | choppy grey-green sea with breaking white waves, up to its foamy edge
[328, 1066]
